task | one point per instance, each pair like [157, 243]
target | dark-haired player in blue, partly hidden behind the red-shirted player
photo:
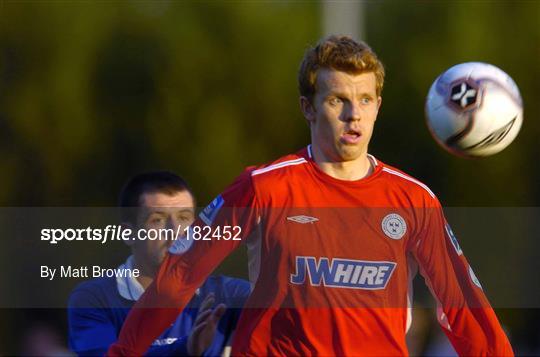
[98, 308]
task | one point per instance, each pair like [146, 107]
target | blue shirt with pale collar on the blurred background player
[97, 310]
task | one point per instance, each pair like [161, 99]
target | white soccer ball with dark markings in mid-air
[474, 109]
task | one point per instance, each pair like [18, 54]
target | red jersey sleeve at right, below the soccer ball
[463, 310]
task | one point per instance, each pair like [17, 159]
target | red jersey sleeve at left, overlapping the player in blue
[220, 228]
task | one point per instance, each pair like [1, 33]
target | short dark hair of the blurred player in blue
[148, 182]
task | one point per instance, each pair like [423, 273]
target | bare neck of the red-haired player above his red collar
[344, 170]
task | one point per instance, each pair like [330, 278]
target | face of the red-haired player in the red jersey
[342, 114]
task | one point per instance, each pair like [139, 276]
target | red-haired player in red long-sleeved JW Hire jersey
[334, 237]
